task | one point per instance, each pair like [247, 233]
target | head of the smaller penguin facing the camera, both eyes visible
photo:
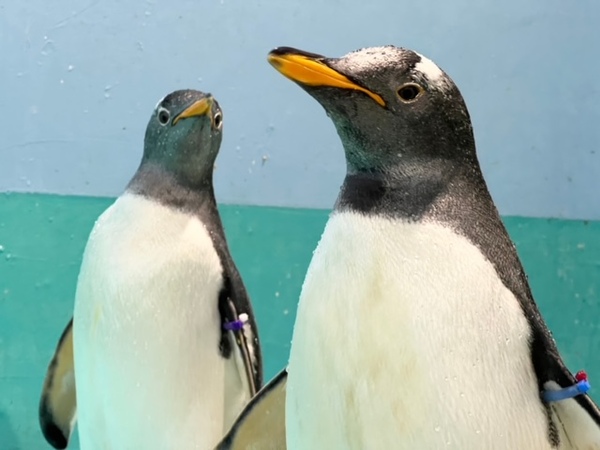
[184, 135]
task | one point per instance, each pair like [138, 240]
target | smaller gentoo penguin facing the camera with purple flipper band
[164, 347]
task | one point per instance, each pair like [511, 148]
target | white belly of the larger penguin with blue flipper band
[406, 339]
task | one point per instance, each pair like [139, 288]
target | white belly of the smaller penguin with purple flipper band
[146, 333]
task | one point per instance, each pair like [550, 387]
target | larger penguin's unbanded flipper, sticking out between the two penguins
[261, 424]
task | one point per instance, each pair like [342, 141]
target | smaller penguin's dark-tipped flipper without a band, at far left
[58, 404]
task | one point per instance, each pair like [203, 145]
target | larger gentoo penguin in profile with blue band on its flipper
[416, 327]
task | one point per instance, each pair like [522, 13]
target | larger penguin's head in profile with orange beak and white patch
[390, 106]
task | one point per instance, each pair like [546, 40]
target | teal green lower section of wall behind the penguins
[43, 236]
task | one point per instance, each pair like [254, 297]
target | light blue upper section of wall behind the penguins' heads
[79, 80]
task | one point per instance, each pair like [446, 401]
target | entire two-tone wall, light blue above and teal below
[79, 81]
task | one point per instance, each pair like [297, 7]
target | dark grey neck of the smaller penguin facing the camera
[156, 183]
